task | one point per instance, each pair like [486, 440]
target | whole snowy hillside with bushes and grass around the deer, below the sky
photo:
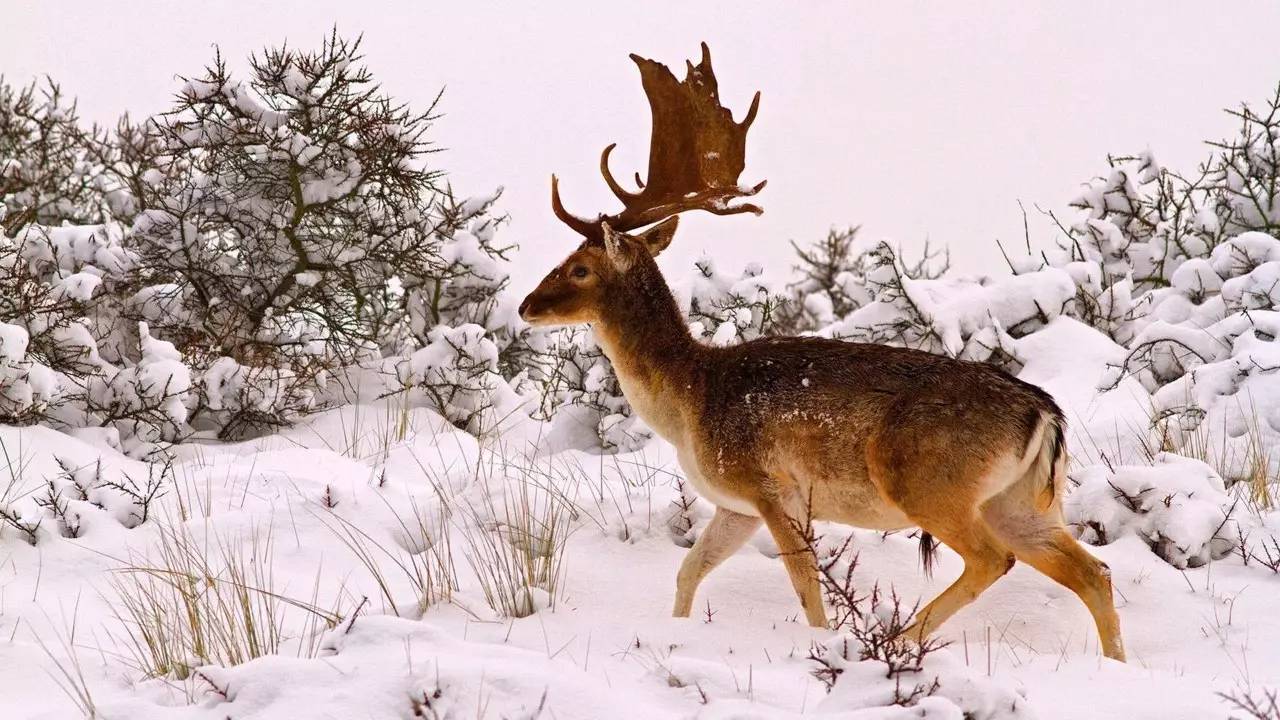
[277, 444]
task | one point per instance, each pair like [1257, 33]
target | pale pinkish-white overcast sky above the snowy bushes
[915, 120]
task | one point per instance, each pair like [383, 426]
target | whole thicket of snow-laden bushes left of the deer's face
[266, 233]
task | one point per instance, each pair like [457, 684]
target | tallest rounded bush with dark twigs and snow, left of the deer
[282, 221]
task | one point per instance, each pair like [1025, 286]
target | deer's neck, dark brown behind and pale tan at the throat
[644, 336]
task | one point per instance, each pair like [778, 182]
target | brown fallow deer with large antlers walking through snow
[781, 431]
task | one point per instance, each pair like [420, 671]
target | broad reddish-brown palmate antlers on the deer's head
[697, 153]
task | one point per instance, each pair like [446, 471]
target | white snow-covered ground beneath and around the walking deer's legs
[397, 485]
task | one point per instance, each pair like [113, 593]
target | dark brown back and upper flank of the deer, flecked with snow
[828, 397]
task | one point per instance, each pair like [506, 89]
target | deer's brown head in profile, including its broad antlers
[697, 153]
